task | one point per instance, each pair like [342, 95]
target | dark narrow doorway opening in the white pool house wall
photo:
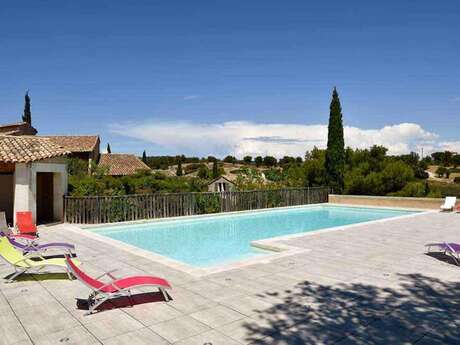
[45, 202]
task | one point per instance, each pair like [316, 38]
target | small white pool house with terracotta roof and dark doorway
[33, 177]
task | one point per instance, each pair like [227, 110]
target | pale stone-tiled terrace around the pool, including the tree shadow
[369, 284]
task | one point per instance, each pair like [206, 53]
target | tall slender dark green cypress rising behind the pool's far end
[335, 153]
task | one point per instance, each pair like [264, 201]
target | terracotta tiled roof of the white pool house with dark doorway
[25, 149]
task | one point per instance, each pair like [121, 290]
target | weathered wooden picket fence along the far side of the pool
[108, 209]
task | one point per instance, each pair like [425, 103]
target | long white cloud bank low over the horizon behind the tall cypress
[248, 138]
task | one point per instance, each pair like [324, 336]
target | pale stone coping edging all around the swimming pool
[272, 244]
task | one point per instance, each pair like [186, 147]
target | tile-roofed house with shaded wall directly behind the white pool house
[84, 147]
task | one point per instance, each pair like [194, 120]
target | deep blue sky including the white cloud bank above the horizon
[235, 77]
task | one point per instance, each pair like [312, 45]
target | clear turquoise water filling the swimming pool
[213, 240]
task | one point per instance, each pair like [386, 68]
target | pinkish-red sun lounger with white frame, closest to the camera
[103, 291]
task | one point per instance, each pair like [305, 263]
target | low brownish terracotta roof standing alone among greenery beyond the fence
[119, 164]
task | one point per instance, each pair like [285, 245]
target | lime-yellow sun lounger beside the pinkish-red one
[30, 262]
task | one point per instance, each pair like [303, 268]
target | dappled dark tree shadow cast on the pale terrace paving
[422, 310]
